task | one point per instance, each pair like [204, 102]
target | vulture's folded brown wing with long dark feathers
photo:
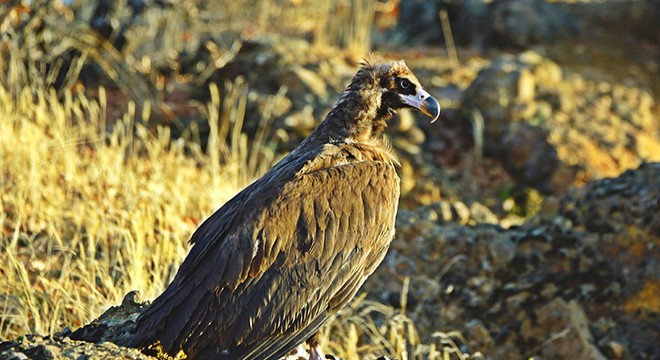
[270, 266]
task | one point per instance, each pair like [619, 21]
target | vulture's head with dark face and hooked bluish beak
[400, 89]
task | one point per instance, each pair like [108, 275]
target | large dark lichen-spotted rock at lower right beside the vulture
[580, 282]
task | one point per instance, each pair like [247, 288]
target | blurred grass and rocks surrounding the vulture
[124, 124]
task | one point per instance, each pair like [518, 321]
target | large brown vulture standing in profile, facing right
[292, 248]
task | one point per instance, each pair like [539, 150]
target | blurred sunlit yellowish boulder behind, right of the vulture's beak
[553, 130]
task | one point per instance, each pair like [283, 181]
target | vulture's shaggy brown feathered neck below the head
[356, 117]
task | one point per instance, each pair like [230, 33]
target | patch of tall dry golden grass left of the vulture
[88, 215]
